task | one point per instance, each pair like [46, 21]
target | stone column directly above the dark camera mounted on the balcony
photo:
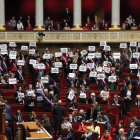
[39, 20]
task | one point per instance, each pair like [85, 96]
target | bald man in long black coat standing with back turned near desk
[58, 112]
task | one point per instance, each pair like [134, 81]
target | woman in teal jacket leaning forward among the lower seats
[103, 119]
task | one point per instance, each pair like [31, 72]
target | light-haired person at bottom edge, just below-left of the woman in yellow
[88, 135]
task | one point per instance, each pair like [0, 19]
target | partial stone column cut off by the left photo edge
[2, 15]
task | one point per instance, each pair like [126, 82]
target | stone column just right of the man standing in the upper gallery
[77, 17]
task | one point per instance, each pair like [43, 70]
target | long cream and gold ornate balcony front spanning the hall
[70, 36]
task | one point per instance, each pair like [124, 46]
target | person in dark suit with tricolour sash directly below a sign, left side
[20, 75]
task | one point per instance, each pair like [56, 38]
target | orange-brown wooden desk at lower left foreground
[27, 131]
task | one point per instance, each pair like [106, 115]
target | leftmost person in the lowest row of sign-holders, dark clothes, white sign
[18, 97]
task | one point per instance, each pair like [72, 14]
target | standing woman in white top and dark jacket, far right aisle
[128, 95]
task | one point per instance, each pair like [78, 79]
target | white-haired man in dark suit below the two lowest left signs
[30, 103]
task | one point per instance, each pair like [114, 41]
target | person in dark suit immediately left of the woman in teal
[91, 113]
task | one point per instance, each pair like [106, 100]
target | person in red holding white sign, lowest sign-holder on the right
[105, 94]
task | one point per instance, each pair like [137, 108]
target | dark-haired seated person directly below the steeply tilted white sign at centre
[74, 105]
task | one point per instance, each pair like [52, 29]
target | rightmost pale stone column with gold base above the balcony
[115, 18]
